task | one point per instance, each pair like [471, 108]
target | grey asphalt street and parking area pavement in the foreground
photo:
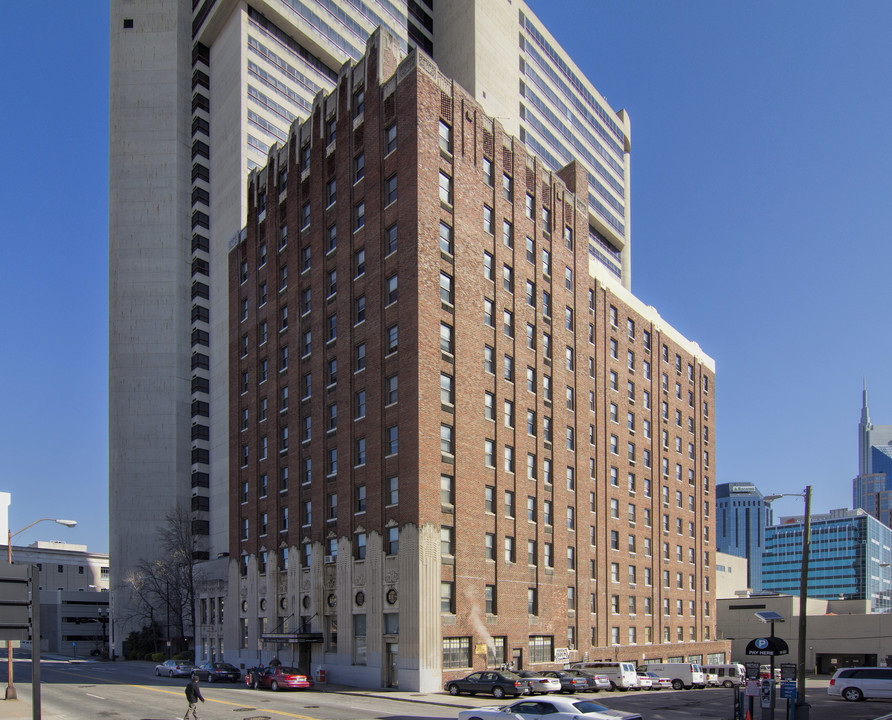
[109, 691]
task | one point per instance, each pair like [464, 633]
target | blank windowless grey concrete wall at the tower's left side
[148, 275]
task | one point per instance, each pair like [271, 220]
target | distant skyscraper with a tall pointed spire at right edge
[872, 489]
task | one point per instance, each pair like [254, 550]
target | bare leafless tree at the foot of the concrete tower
[165, 587]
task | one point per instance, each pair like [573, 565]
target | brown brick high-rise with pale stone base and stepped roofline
[456, 440]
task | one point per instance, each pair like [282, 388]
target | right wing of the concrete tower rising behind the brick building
[502, 54]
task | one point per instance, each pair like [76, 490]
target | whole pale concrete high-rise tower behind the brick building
[199, 92]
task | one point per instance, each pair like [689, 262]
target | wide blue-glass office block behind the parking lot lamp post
[849, 558]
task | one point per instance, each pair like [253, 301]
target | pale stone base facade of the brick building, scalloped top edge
[312, 602]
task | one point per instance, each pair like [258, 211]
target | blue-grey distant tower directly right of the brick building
[740, 526]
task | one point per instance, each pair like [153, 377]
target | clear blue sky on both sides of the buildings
[761, 219]
